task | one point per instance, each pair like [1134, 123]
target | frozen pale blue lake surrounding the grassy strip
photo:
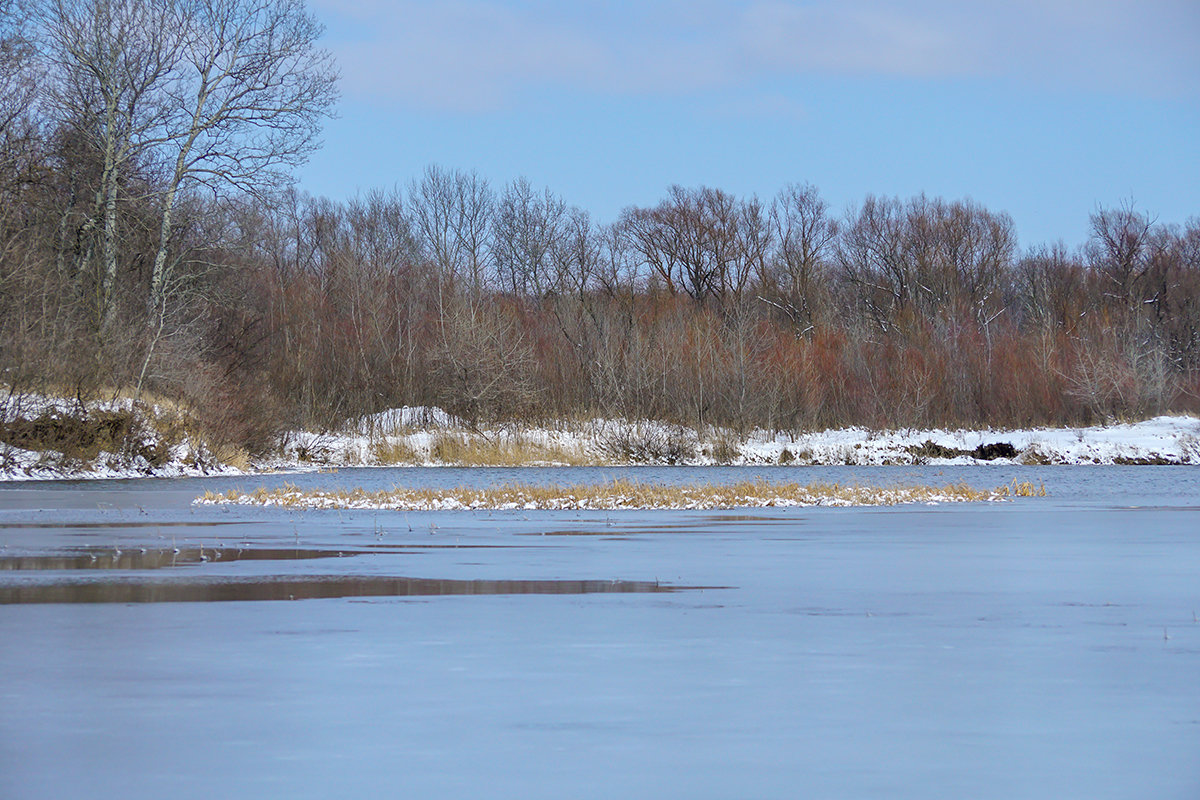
[1042, 648]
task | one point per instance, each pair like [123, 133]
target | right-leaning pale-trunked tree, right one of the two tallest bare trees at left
[249, 97]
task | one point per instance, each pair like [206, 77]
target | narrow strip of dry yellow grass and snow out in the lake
[623, 495]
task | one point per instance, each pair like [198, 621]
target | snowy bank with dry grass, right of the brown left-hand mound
[1161, 441]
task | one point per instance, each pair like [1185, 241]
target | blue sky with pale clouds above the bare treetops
[1041, 109]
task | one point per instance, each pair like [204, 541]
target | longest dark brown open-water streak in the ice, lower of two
[307, 588]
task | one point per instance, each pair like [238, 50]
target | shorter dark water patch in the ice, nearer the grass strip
[142, 558]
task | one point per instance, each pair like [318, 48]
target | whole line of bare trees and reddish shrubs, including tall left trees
[151, 243]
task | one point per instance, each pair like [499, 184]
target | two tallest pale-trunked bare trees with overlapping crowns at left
[190, 94]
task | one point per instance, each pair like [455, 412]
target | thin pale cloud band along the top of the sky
[487, 55]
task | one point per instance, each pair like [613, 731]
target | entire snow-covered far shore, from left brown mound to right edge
[431, 437]
